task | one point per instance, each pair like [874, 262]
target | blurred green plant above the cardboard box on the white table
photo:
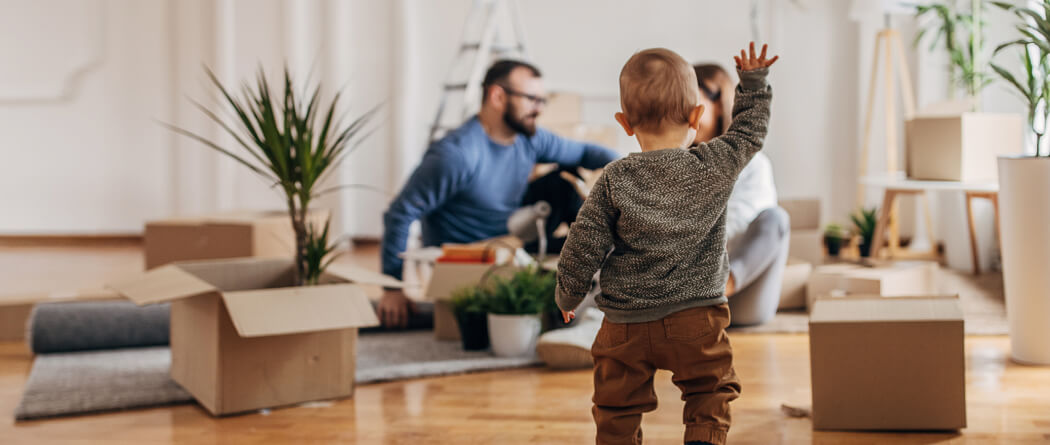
[962, 34]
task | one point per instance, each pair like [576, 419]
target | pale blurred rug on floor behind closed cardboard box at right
[984, 308]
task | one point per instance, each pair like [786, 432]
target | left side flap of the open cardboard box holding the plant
[165, 284]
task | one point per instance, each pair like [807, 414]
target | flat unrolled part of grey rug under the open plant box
[94, 382]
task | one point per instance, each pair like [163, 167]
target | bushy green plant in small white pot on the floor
[515, 308]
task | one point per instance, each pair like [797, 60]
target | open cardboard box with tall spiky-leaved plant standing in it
[248, 333]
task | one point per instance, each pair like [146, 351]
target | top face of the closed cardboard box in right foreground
[881, 309]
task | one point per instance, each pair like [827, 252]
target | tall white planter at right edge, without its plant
[1025, 205]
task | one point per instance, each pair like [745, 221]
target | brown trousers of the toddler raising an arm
[694, 346]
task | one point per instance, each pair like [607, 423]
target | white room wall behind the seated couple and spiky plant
[81, 90]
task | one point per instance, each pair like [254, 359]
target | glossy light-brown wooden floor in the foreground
[1007, 404]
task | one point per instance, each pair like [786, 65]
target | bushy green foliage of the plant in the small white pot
[529, 291]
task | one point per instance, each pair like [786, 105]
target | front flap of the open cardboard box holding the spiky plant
[300, 310]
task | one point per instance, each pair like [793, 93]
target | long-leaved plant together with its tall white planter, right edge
[1024, 193]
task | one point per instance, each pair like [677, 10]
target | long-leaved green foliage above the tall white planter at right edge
[1035, 51]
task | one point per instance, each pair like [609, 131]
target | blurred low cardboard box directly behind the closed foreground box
[888, 280]
